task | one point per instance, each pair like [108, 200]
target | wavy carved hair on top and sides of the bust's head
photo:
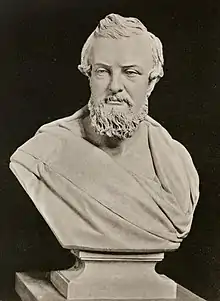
[115, 26]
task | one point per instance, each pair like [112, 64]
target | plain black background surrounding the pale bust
[39, 82]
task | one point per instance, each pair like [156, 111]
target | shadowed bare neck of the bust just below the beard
[111, 145]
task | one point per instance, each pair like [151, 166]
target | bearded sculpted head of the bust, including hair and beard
[123, 62]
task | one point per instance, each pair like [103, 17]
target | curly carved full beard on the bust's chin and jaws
[114, 123]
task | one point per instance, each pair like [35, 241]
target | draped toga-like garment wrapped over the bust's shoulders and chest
[92, 203]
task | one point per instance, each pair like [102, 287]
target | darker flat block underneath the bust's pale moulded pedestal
[37, 287]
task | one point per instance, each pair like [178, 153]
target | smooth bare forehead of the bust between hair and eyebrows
[134, 50]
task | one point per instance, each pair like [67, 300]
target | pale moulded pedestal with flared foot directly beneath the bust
[114, 277]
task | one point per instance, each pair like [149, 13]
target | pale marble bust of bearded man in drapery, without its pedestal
[110, 177]
